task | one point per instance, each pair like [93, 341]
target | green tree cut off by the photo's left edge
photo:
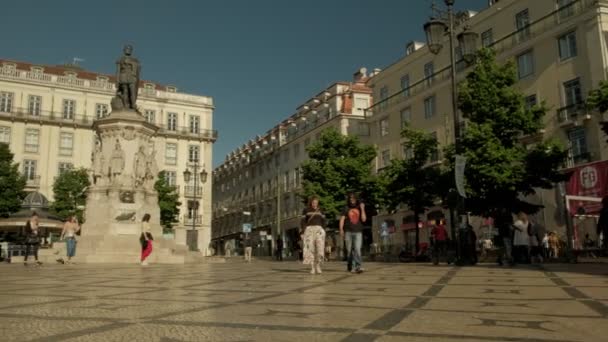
[12, 183]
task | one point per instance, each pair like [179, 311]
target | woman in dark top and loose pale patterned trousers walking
[313, 221]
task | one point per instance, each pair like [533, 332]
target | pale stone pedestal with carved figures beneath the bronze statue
[124, 173]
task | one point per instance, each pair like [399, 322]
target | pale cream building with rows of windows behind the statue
[46, 117]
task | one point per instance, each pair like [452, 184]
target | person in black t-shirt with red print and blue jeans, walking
[351, 229]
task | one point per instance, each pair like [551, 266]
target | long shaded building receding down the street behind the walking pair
[259, 182]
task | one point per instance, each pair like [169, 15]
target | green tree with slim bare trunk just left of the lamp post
[413, 181]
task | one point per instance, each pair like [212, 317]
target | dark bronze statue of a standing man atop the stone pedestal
[127, 81]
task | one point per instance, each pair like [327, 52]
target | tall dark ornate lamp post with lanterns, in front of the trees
[435, 30]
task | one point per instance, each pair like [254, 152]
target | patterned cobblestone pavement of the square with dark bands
[271, 301]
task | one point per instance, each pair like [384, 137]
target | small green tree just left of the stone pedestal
[70, 193]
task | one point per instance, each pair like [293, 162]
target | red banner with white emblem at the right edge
[589, 180]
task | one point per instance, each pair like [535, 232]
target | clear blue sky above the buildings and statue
[258, 59]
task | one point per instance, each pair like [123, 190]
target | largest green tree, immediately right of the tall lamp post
[500, 168]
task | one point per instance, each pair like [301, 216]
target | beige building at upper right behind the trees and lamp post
[559, 48]
